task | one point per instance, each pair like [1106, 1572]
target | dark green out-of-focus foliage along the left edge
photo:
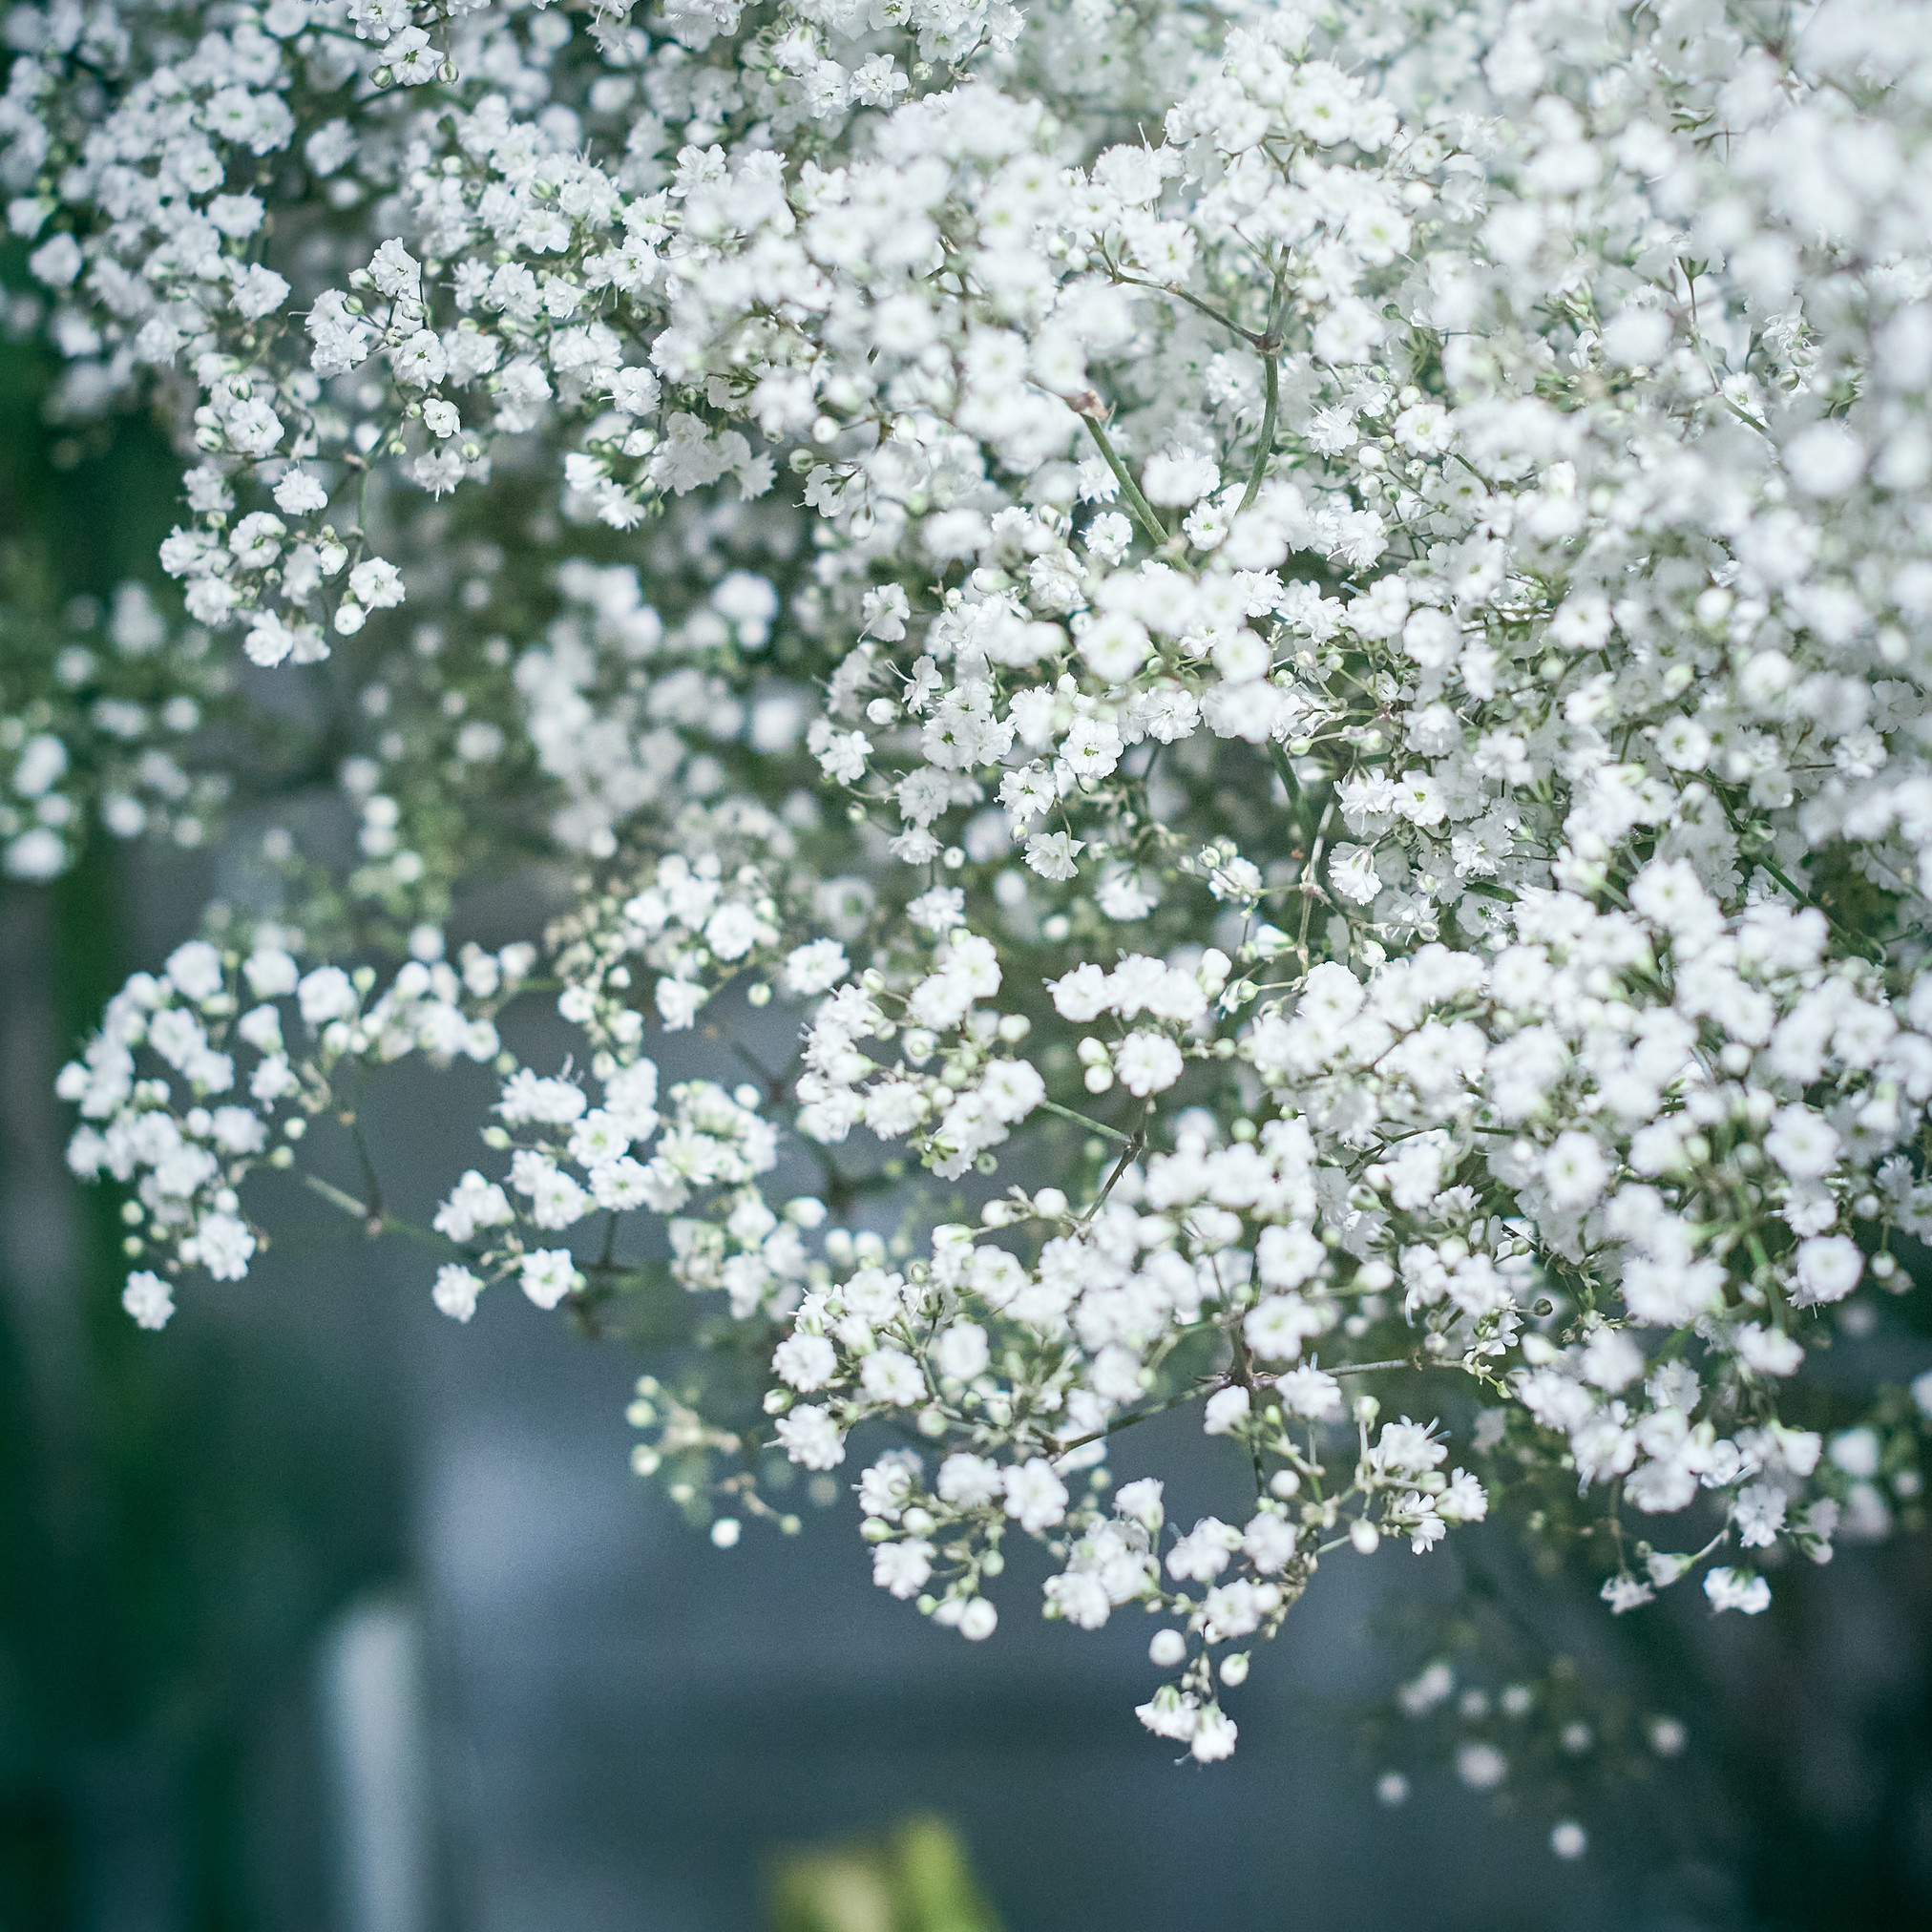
[177, 1523]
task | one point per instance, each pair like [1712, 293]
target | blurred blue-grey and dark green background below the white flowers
[322, 1614]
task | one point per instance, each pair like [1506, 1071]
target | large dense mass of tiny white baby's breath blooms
[1350, 712]
